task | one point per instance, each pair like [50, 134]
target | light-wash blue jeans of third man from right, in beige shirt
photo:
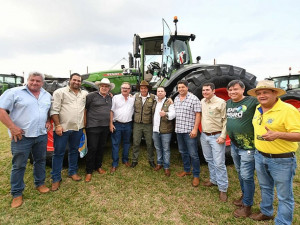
[214, 155]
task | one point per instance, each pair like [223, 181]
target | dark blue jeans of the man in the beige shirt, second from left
[72, 138]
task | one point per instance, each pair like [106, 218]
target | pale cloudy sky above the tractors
[58, 36]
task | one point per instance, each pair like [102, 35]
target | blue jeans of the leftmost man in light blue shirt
[20, 151]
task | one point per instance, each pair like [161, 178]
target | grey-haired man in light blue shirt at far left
[24, 111]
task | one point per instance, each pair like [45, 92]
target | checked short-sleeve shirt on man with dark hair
[185, 112]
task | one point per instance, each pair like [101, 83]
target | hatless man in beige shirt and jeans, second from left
[67, 112]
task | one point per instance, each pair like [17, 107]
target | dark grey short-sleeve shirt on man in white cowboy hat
[97, 110]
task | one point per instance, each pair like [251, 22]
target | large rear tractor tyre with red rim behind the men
[220, 75]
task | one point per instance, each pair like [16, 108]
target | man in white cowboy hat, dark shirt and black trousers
[98, 106]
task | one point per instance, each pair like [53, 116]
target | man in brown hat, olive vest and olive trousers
[143, 111]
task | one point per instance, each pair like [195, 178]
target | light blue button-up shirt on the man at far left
[26, 111]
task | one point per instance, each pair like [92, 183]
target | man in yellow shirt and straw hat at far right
[276, 133]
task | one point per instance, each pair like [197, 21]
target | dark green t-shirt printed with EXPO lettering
[239, 122]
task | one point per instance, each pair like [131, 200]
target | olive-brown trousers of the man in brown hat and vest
[138, 130]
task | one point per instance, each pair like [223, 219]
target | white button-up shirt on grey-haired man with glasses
[123, 110]
